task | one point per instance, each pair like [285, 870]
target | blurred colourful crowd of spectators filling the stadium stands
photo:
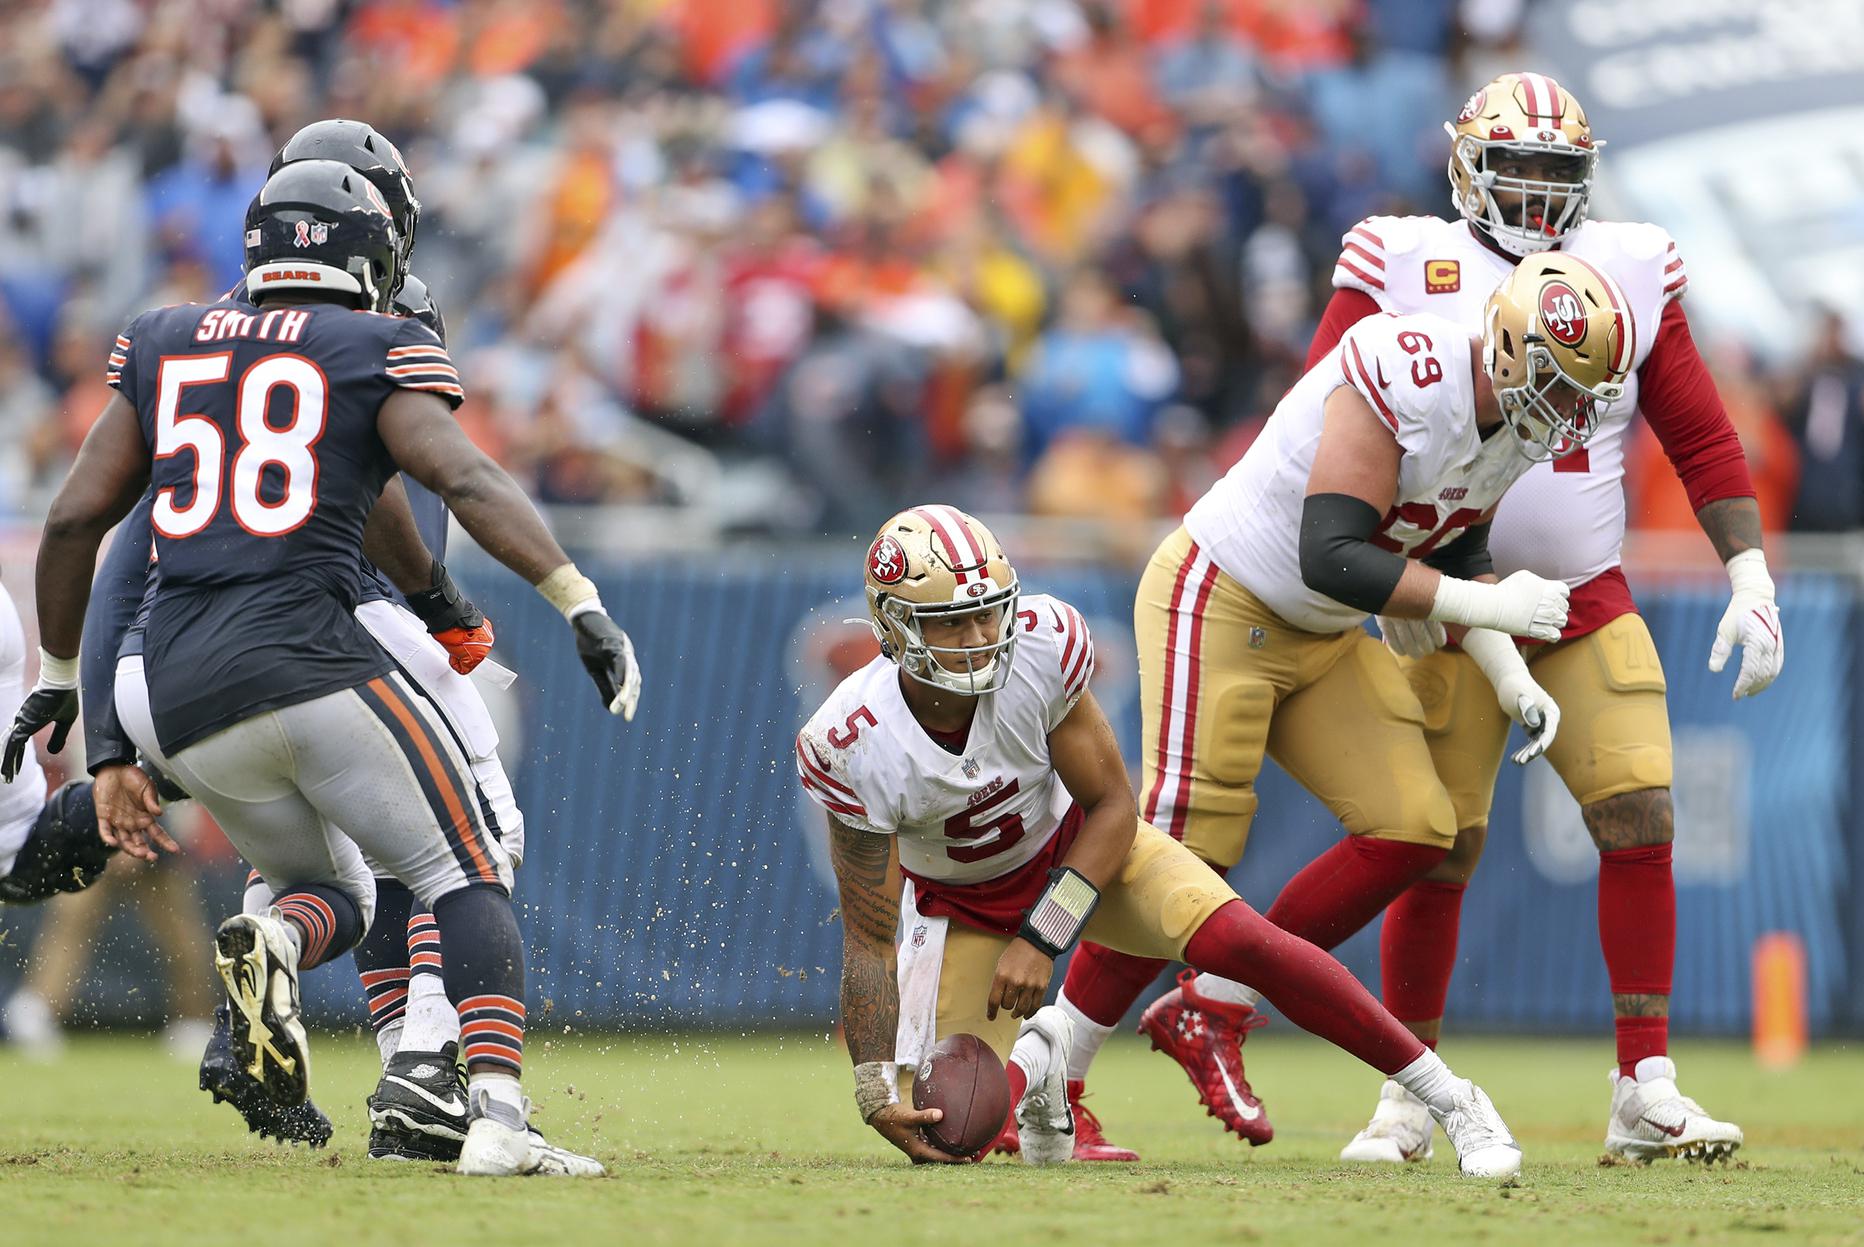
[795, 260]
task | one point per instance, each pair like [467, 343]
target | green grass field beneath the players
[754, 1142]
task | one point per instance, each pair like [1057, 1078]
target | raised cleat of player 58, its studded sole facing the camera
[258, 963]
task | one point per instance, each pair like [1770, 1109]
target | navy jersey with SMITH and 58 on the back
[266, 463]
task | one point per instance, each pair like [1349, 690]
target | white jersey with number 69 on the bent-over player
[1418, 376]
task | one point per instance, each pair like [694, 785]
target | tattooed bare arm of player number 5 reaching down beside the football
[870, 994]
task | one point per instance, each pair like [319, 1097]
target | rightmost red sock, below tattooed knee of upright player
[1638, 933]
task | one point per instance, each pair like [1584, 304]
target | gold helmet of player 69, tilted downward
[1557, 342]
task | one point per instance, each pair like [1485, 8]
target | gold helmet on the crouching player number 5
[937, 560]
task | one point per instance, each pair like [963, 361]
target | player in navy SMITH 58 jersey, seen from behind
[269, 432]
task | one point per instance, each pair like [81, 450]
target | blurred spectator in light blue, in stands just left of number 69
[1101, 368]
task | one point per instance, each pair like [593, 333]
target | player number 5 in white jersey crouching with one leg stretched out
[974, 756]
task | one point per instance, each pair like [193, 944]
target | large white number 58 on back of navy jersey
[262, 445]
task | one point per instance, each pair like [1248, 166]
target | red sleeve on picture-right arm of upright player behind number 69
[1679, 398]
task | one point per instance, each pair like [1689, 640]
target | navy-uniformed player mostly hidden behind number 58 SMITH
[439, 644]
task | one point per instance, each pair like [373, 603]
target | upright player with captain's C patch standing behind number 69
[1522, 174]
